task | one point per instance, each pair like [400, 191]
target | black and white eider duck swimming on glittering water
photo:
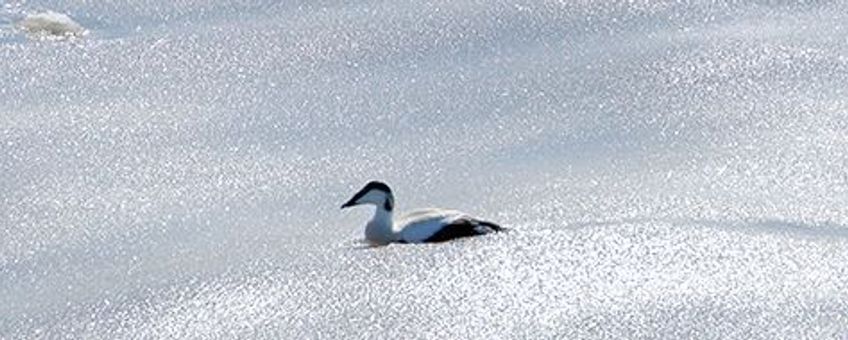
[418, 226]
